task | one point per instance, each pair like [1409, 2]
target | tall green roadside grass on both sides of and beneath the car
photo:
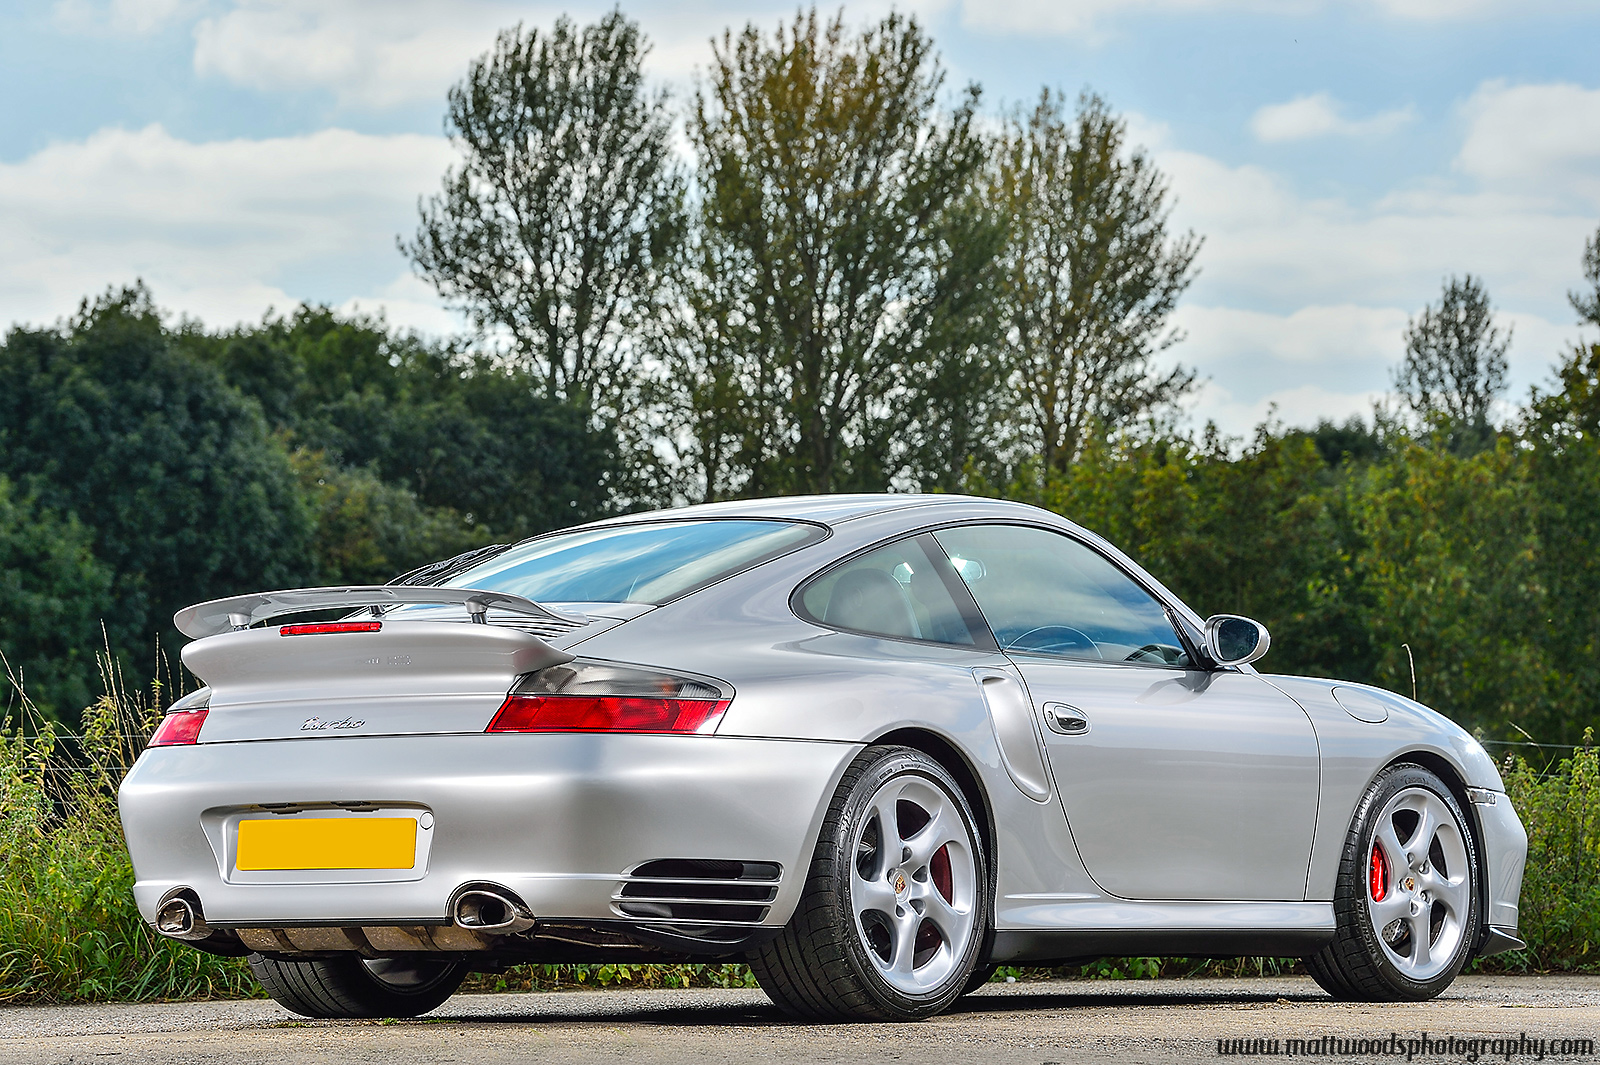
[70, 930]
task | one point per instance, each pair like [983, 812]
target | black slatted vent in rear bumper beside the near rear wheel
[700, 891]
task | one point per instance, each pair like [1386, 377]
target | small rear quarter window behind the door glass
[900, 591]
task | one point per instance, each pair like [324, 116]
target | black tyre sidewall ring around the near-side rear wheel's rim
[887, 767]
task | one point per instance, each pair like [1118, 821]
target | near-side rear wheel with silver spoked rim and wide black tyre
[895, 907]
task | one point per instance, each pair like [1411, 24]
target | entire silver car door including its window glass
[1178, 783]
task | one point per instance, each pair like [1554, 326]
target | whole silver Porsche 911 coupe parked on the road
[876, 746]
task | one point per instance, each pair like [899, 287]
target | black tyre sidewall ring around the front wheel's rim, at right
[1378, 796]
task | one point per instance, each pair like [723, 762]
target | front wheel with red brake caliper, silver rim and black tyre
[1388, 963]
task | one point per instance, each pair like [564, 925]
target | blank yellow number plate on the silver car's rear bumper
[327, 844]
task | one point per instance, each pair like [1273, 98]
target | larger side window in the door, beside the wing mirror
[1047, 594]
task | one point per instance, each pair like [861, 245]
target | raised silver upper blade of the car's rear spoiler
[242, 612]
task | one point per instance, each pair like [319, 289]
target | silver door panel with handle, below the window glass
[1185, 784]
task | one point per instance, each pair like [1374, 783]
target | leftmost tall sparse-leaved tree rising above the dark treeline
[551, 231]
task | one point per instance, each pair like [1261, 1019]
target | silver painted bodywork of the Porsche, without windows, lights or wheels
[1231, 792]
